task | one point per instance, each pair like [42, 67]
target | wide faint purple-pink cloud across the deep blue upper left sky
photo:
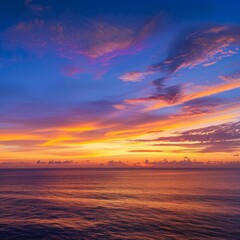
[97, 38]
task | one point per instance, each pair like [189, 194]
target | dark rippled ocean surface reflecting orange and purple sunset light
[119, 204]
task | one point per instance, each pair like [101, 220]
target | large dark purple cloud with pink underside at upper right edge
[204, 46]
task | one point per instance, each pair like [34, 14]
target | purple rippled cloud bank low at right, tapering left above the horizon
[218, 138]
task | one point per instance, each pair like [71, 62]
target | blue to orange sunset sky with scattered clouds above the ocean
[119, 83]
